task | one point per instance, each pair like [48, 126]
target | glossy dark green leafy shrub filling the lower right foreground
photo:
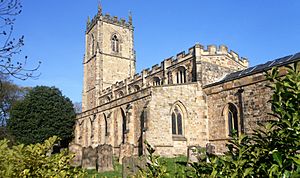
[271, 151]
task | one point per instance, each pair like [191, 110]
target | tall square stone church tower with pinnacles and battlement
[109, 55]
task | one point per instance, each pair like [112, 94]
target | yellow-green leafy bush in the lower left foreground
[36, 161]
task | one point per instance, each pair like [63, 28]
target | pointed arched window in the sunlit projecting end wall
[177, 119]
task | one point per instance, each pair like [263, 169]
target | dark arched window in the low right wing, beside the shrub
[232, 117]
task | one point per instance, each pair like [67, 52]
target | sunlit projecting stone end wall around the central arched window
[190, 99]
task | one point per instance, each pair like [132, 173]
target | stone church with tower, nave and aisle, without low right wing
[121, 107]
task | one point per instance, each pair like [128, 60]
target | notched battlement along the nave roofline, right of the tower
[144, 79]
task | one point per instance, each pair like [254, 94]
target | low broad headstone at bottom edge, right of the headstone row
[131, 165]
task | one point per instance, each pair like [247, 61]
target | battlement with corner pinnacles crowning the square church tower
[109, 19]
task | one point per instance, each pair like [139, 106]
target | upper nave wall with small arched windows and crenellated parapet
[165, 72]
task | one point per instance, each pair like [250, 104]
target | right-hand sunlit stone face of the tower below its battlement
[117, 66]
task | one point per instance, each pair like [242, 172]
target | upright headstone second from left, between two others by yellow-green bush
[89, 158]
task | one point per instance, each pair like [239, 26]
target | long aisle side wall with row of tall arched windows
[104, 124]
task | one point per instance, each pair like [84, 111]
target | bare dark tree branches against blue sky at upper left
[10, 46]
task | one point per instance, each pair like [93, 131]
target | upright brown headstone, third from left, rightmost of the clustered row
[105, 158]
